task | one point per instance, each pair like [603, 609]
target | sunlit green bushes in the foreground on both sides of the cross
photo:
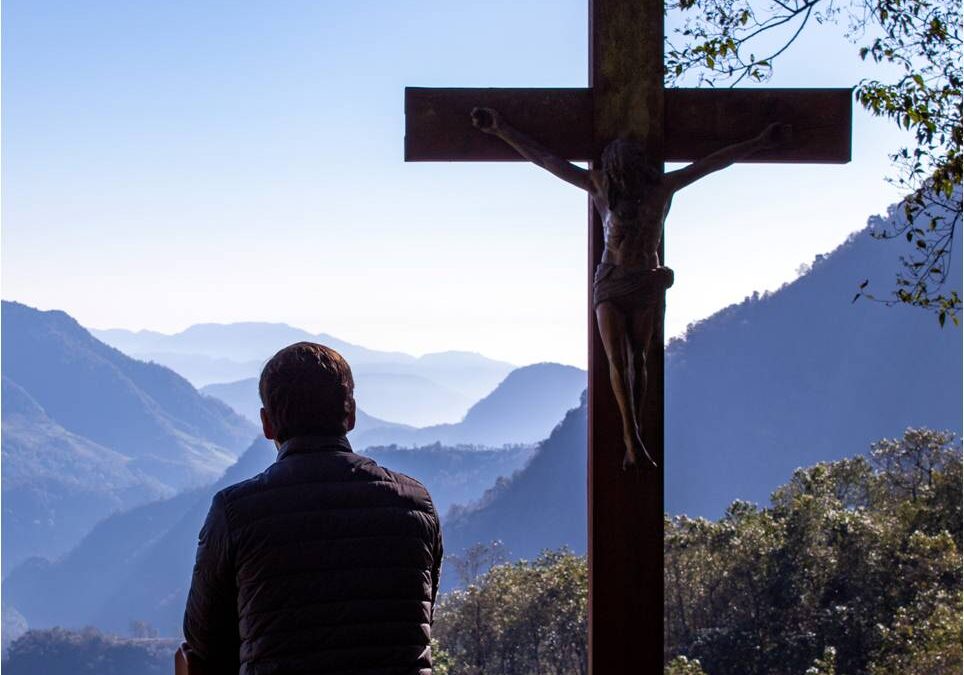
[854, 568]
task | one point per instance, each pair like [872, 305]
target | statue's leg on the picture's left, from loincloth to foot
[615, 338]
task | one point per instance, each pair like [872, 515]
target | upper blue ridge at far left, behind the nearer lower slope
[142, 410]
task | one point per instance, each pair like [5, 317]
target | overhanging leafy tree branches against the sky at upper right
[729, 41]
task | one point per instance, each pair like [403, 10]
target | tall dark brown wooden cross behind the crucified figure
[626, 97]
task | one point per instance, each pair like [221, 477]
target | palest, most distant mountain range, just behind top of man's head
[420, 391]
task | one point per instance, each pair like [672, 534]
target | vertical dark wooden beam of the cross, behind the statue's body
[625, 507]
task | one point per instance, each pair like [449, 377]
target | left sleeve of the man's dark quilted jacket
[211, 617]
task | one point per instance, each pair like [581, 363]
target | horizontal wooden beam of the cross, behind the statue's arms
[697, 122]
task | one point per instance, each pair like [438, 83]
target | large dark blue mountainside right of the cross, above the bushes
[803, 375]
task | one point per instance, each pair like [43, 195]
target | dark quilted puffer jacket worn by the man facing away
[324, 563]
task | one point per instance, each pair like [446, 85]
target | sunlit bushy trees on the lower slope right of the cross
[856, 568]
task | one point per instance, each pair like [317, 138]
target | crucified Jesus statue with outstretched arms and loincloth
[629, 286]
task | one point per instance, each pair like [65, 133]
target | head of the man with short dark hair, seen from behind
[306, 388]
